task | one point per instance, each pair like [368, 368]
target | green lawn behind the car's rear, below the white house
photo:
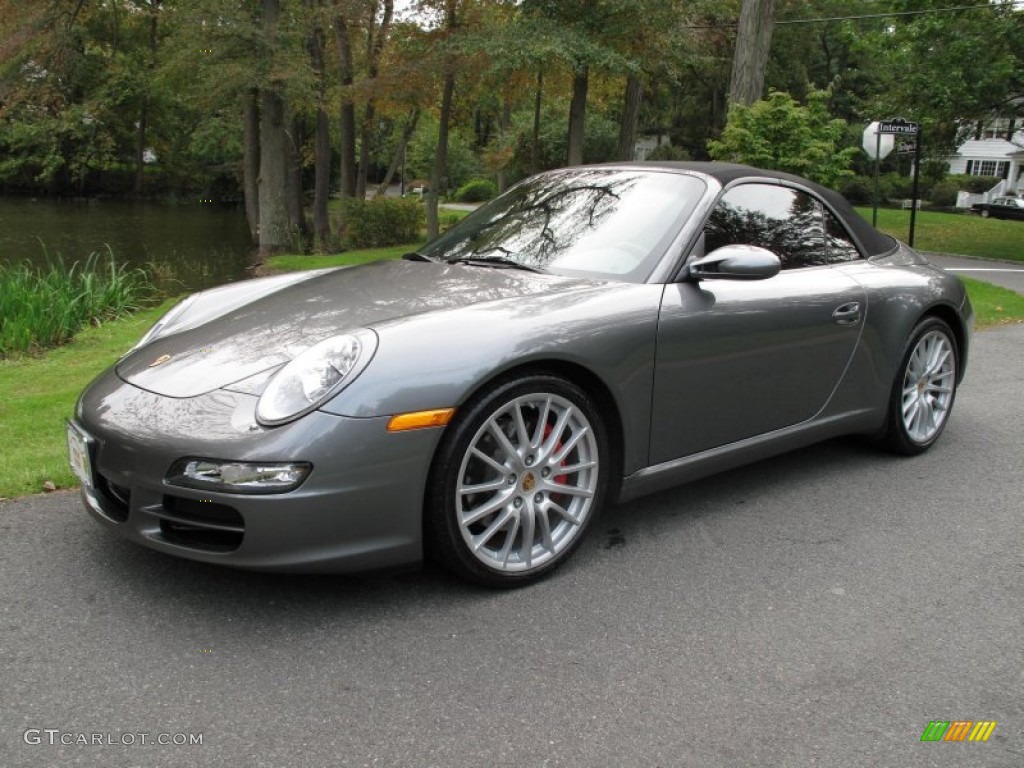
[955, 233]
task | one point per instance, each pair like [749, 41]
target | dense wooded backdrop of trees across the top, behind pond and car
[285, 103]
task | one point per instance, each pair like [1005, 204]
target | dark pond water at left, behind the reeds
[186, 247]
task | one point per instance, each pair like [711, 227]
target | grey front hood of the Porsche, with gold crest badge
[275, 328]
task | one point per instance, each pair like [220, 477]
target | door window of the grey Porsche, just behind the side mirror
[786, 222]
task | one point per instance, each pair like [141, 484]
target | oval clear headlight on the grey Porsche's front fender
[318, 374]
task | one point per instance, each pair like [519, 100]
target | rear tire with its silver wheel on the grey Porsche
[930, 398]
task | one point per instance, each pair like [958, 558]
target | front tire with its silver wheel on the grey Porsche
[528, 491]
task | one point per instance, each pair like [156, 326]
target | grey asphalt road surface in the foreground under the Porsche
[818, 610]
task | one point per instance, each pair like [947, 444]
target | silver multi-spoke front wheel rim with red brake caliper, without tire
[528, 482]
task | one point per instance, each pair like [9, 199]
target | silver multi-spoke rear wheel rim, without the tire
[928, 387]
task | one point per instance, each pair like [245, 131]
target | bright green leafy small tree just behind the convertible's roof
[779, 134]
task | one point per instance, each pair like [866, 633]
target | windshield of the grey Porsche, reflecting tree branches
[608, 224]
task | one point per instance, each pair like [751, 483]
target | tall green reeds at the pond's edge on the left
[41, 309]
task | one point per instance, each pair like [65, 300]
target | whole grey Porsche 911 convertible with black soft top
[592, 335]
